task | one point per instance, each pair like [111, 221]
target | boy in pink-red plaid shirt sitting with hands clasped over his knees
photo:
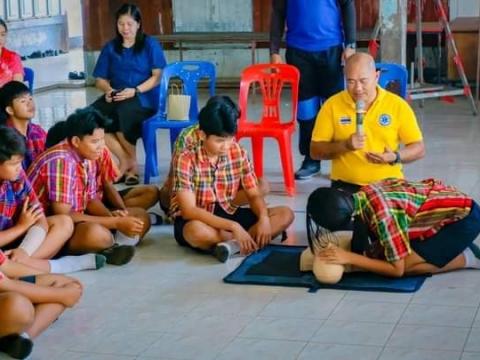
[64, 178]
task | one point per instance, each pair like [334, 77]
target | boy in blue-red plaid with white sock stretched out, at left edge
[26, 234]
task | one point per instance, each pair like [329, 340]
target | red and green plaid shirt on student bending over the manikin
[398, 211]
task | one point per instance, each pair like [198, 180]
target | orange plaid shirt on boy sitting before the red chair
[211, 183]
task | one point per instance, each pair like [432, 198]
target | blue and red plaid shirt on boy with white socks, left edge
[13, 194]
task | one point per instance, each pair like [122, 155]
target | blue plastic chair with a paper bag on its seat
[190, 73]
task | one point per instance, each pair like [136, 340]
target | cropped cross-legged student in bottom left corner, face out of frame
[29, 303]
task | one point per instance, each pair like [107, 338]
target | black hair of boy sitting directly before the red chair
[219, 117]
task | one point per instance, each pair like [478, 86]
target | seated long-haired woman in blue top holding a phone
[128, 73]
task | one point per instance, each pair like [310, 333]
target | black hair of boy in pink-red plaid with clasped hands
[84, 122]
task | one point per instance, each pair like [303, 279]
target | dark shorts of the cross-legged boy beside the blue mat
[244, 216]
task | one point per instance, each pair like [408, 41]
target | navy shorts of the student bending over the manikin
[450, 241]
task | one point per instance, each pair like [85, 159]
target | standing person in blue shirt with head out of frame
[320, 36]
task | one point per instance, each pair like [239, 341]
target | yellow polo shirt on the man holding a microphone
[389, 122]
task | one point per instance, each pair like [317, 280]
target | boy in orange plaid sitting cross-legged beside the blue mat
[206, 181]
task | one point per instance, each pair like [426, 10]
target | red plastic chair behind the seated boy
[271, 79]
